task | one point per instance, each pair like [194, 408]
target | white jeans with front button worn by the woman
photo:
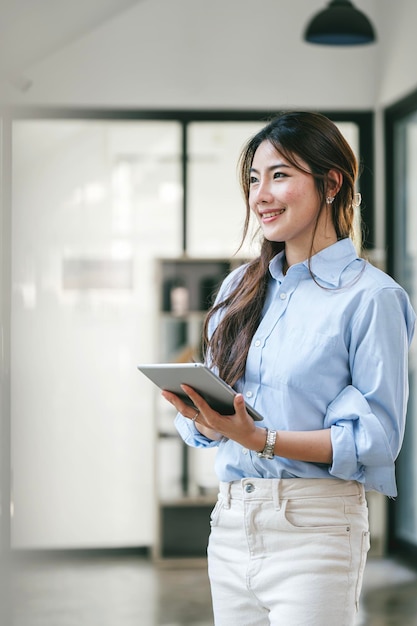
[288, 552]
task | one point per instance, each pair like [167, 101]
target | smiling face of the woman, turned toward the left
[287, 204]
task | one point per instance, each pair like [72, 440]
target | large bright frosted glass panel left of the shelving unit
[94, 204]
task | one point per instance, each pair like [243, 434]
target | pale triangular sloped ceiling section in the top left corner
[31, 30]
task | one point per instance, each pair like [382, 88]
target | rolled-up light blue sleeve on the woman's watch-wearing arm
[367, 418]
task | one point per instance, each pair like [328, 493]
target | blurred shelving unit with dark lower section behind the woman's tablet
[186, 483]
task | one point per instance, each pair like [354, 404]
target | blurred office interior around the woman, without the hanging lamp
[121, 125]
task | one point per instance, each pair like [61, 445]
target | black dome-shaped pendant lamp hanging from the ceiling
[341, 24]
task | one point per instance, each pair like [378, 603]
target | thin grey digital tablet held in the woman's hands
[218, 394]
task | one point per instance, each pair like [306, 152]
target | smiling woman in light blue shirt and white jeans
[316, 339]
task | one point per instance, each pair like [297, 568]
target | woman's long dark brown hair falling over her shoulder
[316, 140]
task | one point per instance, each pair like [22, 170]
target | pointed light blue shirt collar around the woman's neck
[327, 265]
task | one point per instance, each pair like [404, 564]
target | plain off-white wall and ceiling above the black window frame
[181, 53]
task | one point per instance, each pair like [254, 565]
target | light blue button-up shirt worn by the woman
[330, 356]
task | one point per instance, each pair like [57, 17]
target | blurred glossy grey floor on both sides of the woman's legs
[130, 590]
